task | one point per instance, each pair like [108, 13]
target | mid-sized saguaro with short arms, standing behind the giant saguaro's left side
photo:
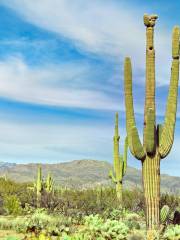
[120, 162]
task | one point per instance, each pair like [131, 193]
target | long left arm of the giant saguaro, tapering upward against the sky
[135, 145]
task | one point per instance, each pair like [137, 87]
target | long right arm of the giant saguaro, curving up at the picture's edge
[167, 136]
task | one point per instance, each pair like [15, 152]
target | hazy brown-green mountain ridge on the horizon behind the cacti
[82, 174]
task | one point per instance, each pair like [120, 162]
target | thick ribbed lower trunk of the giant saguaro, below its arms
[151, 185]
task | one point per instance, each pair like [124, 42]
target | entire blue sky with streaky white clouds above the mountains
[61, 76]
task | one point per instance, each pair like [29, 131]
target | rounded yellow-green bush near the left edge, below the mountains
[12, 205]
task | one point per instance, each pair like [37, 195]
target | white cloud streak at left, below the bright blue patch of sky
[50, 85]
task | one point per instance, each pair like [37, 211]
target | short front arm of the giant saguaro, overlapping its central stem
[149, 134]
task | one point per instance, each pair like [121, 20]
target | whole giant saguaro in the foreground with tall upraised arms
[157, 140]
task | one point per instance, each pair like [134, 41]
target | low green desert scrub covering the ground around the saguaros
[79, 214]
